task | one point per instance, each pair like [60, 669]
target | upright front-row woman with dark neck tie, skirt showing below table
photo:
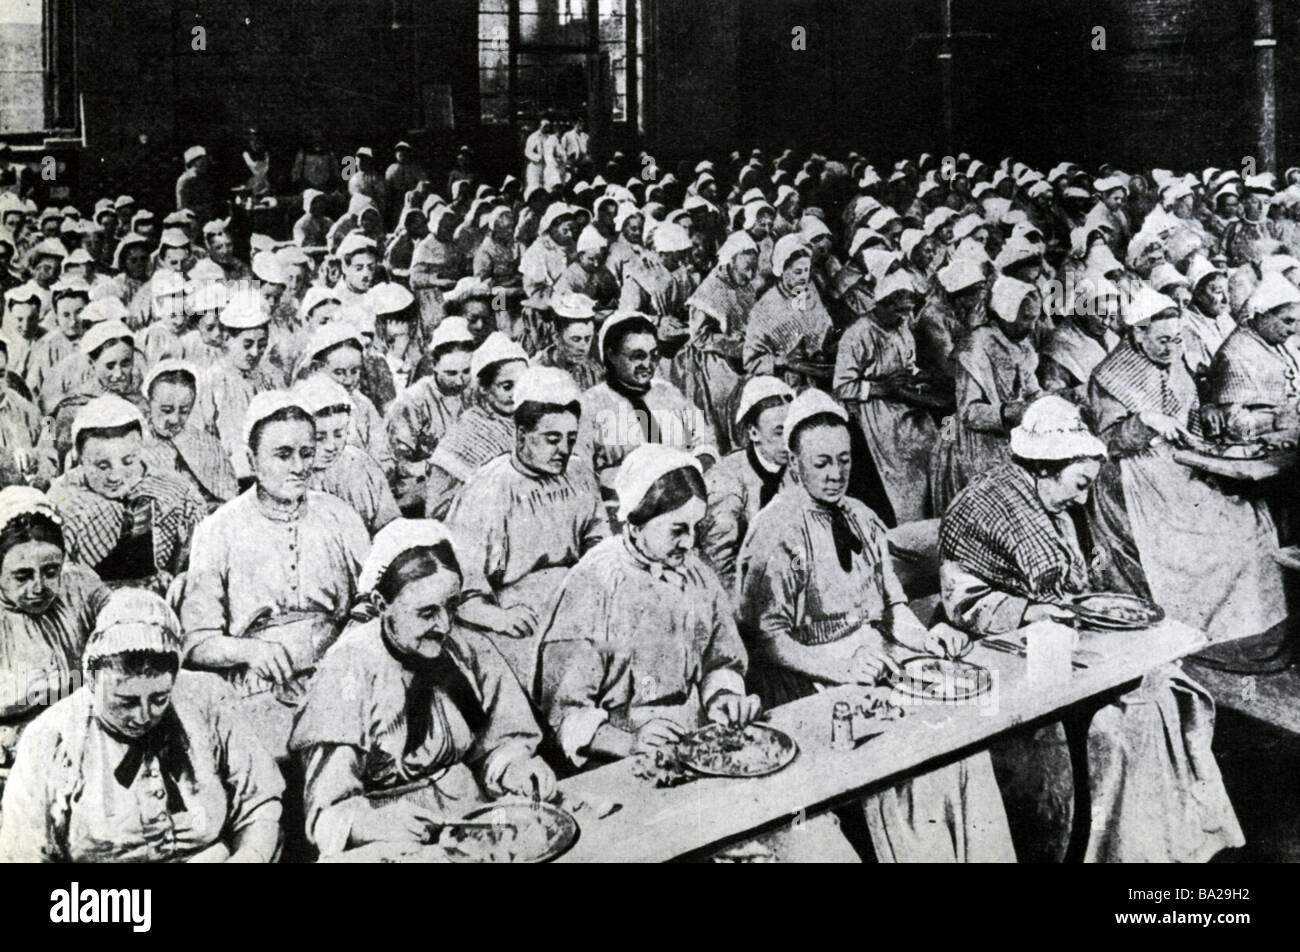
[820, 605]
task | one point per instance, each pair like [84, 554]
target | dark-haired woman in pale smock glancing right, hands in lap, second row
[527, 518]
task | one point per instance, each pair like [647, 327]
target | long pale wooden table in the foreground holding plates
[655, 825]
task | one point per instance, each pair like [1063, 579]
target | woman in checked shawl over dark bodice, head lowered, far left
[122, 518]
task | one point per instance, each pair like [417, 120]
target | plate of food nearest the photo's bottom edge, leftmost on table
[510, 832]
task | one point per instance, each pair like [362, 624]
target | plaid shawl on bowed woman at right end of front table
[999, 530]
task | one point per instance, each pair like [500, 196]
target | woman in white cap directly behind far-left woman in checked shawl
[171, 447]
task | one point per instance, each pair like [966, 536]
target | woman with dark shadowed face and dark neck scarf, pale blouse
[634, 406]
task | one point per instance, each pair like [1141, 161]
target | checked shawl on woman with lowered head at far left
[93, 525]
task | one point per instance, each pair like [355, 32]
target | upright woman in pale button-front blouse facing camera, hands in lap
[274, 573]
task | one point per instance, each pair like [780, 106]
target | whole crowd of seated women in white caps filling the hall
[556, 474]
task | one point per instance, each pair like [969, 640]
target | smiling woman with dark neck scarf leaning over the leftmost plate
[410, 695]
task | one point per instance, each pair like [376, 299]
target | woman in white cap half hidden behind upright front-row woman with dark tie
[746, 481]
